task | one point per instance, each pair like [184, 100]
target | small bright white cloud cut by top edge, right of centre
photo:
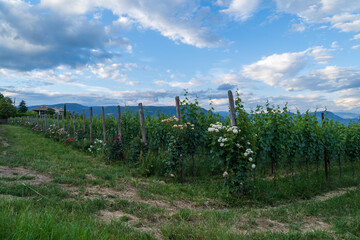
[241, 10]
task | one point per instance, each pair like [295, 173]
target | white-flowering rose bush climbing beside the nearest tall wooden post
[232, 146]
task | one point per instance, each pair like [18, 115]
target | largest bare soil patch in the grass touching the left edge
[19, 174]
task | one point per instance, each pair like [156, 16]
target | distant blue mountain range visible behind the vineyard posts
[342, 117]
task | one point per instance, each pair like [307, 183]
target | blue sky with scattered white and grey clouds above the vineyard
[109, 52]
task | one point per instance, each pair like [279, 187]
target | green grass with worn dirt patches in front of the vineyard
[50, 191]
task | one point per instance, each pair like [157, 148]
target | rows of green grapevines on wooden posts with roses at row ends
[242, 149]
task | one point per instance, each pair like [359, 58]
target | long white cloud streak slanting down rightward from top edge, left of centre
[181, 21]
